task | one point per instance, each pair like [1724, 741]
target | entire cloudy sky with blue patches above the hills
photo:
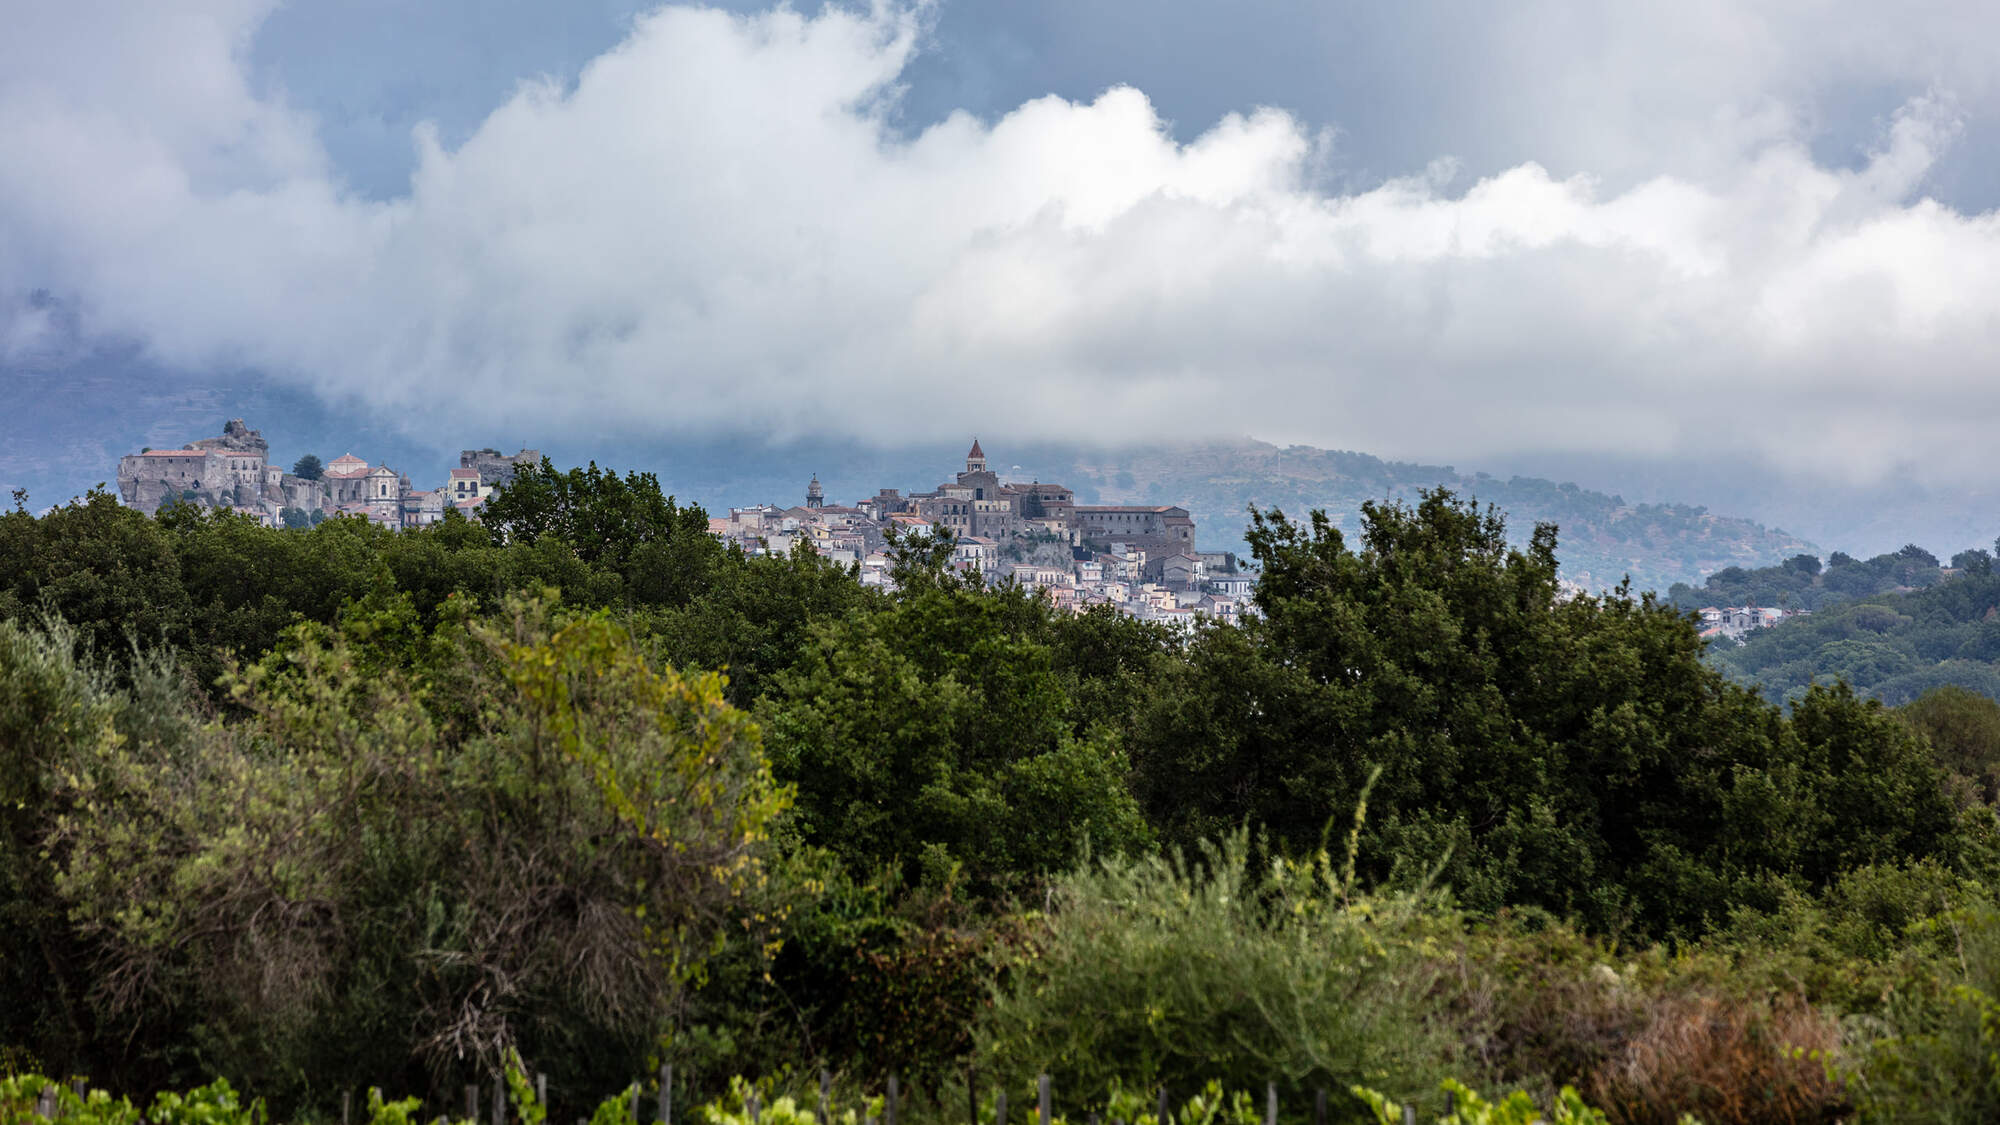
[1551, 233]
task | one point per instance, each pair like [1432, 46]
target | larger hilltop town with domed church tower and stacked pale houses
[1139, 559]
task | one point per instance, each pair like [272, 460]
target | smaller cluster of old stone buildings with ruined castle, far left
[235, 471]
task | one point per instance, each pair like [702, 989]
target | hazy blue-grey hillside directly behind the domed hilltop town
[1601, 535]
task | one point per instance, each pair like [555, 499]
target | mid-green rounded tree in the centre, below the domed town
[935, 738]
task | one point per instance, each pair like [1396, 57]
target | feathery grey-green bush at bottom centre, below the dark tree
[1233, 968]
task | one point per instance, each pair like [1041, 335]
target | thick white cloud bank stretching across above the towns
[715, 231]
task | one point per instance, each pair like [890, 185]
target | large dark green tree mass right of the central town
[1575, 756]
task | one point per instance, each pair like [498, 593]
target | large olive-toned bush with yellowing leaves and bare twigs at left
[413, 858]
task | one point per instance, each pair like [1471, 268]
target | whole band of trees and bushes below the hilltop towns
[331, 810]
